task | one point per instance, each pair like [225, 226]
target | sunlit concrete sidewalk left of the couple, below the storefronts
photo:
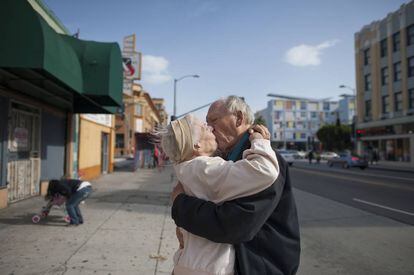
[127, 230]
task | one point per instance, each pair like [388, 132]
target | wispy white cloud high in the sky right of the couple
[307, 55]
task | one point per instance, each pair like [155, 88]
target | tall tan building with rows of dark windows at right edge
[384, 57]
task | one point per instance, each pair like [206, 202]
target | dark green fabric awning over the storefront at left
[33, 57]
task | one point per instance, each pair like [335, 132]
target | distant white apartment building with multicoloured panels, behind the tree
[294, 121]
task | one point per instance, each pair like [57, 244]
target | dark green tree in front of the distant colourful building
[334, 137]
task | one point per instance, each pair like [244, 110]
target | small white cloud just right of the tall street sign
[155, 69]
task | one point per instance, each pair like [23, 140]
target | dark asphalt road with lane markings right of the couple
[384, 193]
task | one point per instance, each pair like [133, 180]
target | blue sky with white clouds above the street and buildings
[237, 47]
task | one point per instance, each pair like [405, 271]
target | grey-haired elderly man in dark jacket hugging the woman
[263, 227]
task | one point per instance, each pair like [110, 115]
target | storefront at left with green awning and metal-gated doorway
[46, 78]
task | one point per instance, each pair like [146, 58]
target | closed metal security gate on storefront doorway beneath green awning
[23, 167]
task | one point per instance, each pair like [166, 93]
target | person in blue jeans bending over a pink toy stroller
[75, 191]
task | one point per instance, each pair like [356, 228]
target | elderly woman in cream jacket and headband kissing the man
[191, 144]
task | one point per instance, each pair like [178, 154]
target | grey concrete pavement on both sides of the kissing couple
[128, 230]
